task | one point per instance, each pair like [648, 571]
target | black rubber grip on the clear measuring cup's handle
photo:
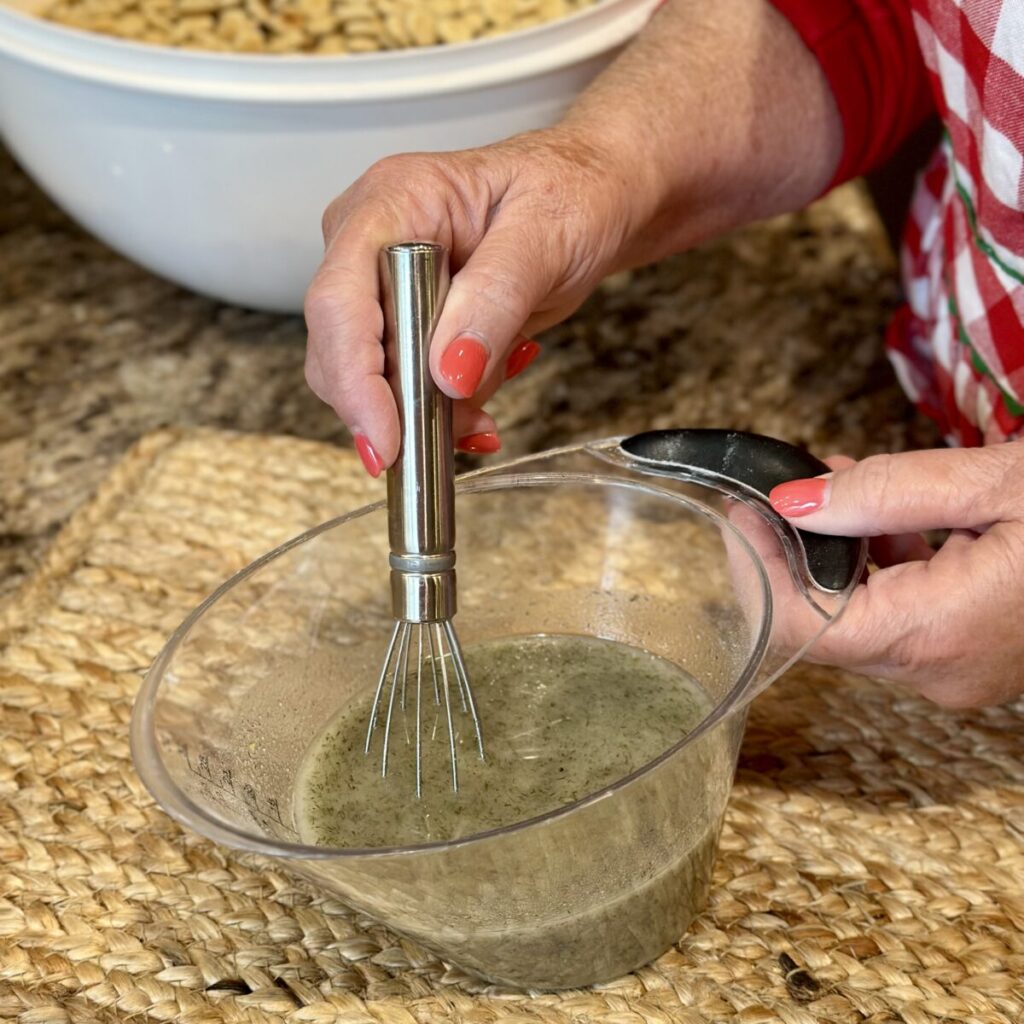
[757, 463]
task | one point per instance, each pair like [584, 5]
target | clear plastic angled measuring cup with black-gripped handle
[664, 542]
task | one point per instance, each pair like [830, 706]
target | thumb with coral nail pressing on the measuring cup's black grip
[908, 493]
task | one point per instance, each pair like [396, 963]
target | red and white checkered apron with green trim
[958, 347]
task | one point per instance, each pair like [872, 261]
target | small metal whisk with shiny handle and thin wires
[424, 649]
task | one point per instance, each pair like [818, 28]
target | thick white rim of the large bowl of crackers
[387, 75]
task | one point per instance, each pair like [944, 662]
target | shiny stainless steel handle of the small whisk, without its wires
[421, 484]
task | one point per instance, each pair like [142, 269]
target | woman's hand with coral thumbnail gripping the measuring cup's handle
[949, 623]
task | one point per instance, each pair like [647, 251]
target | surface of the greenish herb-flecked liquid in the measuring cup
[563, 717]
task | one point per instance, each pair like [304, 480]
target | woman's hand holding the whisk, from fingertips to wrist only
[532, 224]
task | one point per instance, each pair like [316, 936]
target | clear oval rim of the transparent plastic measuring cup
[150, 765]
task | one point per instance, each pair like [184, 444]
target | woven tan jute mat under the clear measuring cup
[872, 867]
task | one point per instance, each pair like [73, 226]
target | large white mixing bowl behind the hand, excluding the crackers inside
[214, 170]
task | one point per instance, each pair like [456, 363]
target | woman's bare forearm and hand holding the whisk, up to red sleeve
[716, 115]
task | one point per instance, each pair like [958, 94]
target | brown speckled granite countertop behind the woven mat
[777, 328]
